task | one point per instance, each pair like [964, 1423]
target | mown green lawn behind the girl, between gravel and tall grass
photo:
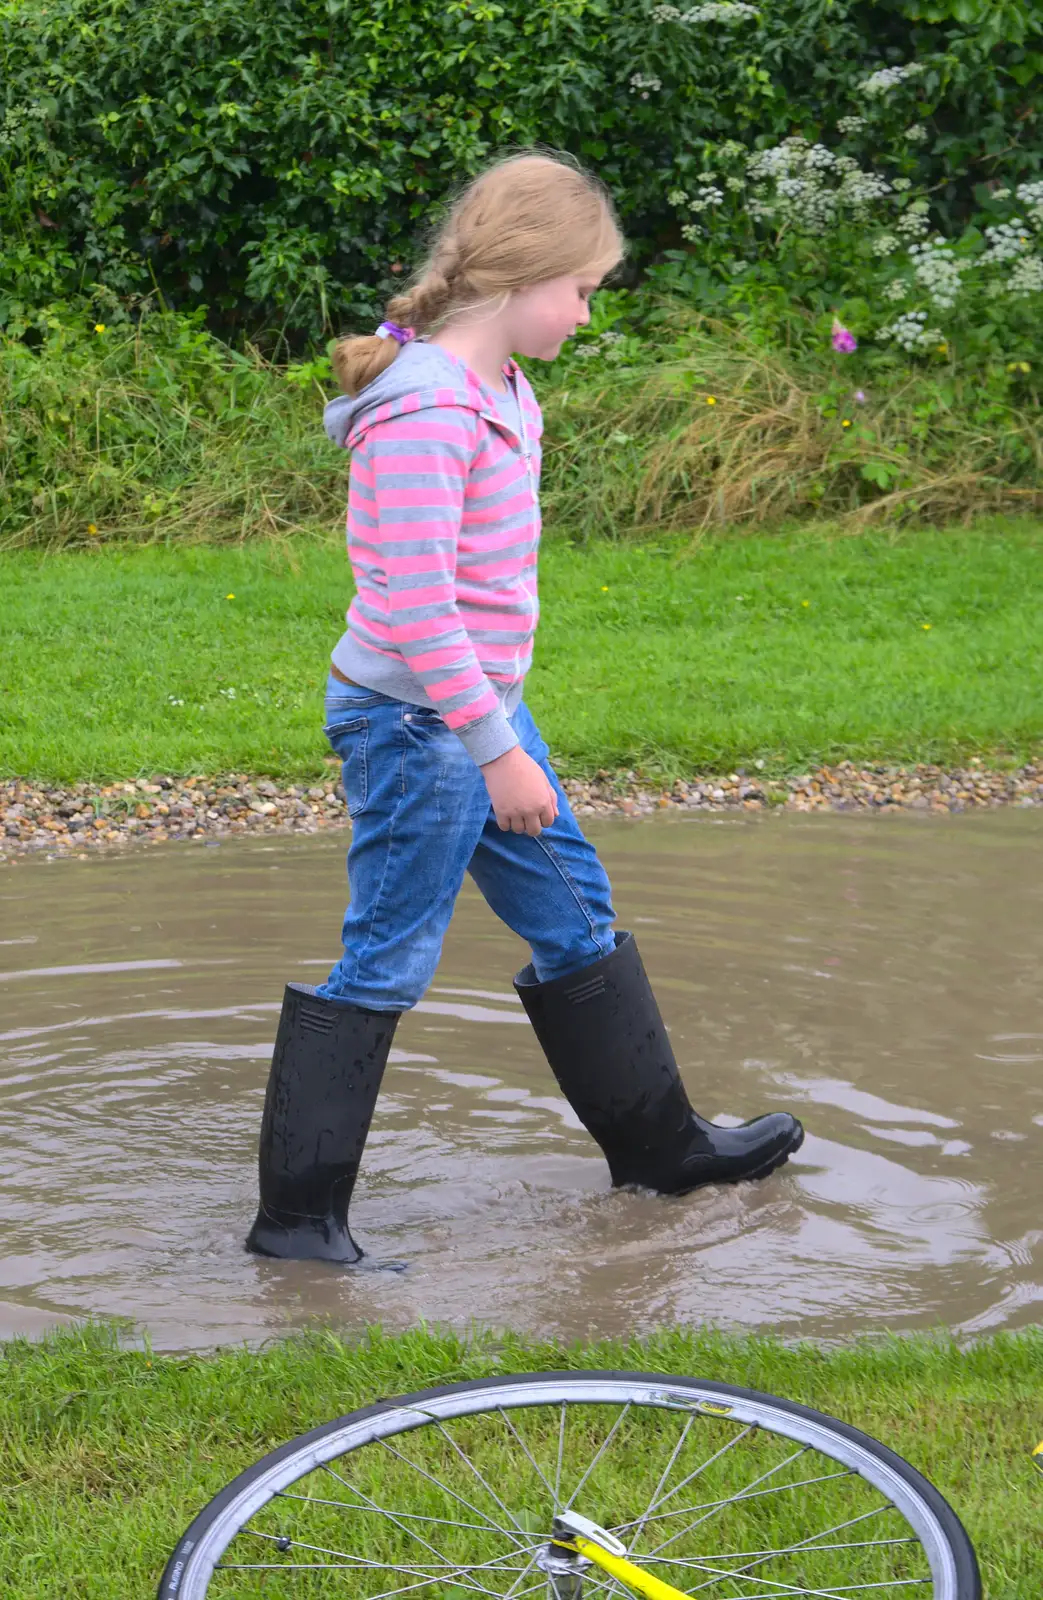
[671, 657]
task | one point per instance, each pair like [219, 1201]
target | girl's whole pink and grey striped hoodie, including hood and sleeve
[442, 535]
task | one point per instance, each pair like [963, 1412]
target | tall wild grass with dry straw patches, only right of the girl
[732, 434]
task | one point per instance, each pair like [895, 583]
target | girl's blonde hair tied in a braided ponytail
[527, 218]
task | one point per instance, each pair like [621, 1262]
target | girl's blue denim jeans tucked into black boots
[422, 818]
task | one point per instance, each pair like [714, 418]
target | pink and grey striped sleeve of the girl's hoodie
[407, 503]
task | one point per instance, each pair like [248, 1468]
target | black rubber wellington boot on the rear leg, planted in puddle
[326, 1078]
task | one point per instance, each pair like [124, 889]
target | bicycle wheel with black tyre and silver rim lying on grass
[449, 1494]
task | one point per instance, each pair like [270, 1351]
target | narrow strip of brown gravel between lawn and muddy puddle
[79, 818]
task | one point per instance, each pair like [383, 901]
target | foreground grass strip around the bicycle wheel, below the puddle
[106, 1454]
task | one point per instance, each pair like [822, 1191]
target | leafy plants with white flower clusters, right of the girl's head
[817, 228]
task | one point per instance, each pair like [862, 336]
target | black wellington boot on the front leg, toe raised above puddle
[609, 1049]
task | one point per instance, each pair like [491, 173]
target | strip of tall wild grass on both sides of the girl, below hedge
[158, 431]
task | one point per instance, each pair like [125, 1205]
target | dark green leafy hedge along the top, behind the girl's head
[278, 161]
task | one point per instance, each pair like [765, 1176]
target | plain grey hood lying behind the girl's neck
[422, 377]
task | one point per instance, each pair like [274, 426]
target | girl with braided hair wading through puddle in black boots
[444, 767]
